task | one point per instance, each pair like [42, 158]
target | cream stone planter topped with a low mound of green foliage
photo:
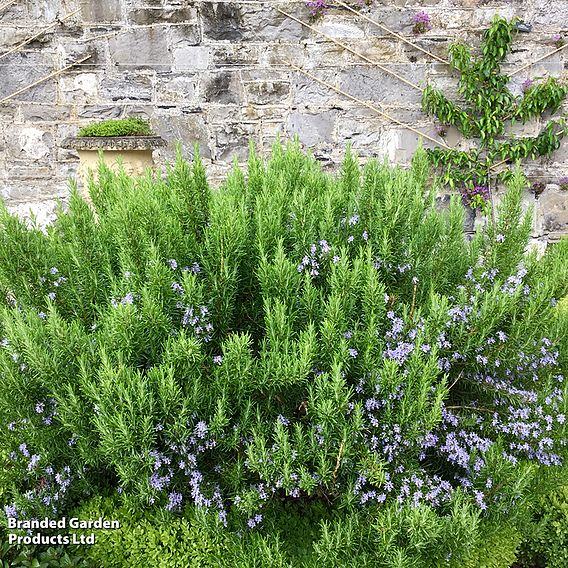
[126, 142]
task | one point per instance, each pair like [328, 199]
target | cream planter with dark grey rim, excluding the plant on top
[135, 152]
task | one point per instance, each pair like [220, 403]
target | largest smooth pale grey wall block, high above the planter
[141, 47]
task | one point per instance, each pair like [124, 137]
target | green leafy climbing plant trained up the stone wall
[489, 107]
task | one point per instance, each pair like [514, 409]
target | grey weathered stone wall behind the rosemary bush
[216, 74]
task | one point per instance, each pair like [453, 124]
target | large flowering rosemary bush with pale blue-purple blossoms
[291, 338]
